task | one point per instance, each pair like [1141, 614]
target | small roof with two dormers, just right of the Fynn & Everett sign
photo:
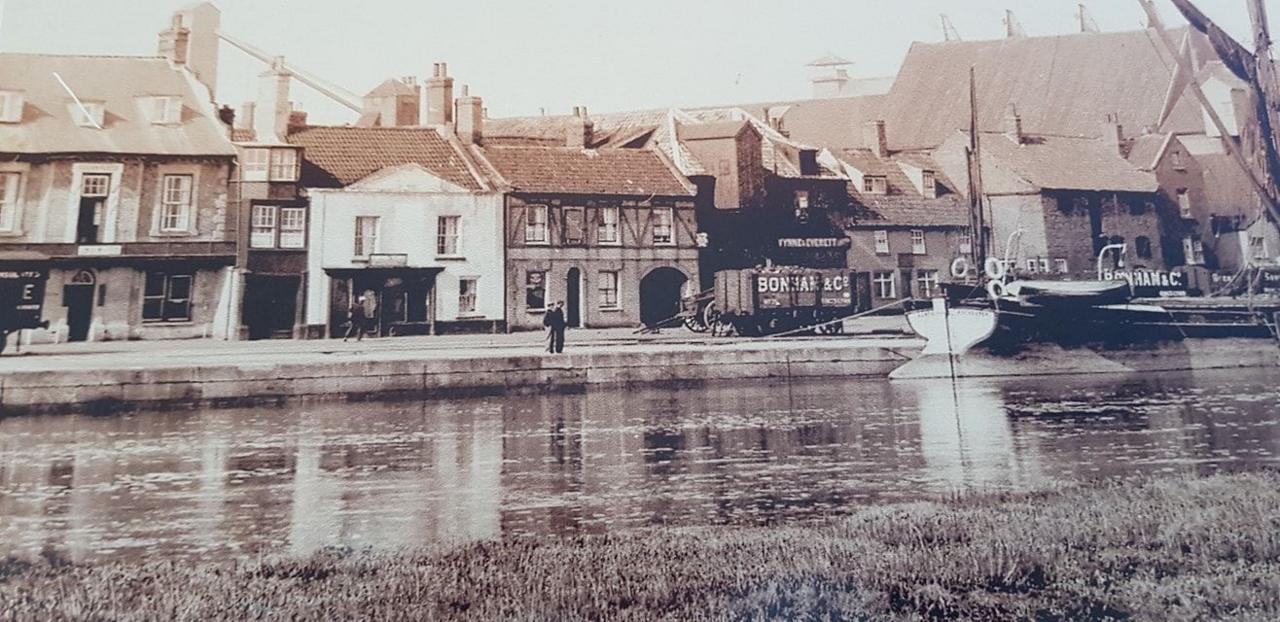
[904, 205]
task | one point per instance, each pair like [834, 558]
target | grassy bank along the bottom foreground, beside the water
[1168, 550]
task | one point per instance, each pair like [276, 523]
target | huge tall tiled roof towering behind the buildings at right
[1064, 86]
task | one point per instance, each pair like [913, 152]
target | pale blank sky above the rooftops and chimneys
[525, 57]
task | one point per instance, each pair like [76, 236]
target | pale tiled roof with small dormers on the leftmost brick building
[48, 126]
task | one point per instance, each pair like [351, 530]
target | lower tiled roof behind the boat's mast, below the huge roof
[1062, 163]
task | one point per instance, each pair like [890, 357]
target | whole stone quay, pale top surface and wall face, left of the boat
[113, 376]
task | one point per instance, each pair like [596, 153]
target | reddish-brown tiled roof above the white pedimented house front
[336, 157]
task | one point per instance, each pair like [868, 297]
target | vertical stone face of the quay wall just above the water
[419, 378]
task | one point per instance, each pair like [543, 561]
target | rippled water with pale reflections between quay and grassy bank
[245, 483]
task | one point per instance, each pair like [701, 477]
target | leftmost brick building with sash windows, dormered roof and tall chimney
[122, 184]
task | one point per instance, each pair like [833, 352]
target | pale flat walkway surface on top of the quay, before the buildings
[177, 354]
